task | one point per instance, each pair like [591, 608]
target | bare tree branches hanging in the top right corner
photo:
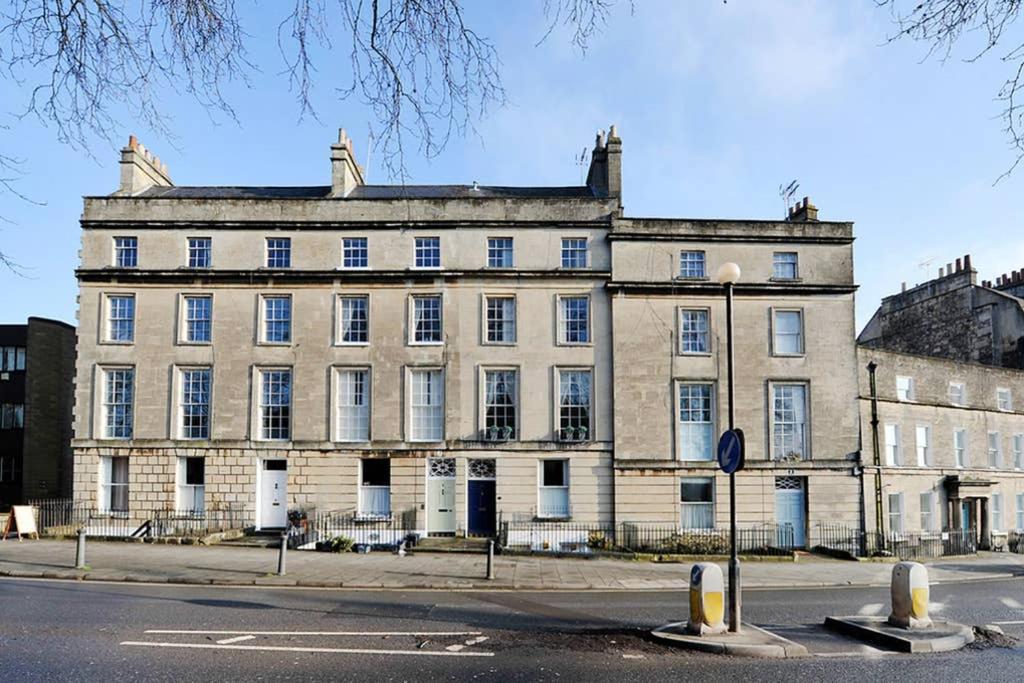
[945, 25]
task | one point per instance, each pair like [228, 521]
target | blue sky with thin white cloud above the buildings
[716, 104]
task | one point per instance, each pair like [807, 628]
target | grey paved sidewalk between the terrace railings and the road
[247, 567]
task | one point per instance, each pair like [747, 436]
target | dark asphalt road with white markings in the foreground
[64, 631]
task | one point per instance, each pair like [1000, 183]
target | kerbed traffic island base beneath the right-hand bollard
[940, 637]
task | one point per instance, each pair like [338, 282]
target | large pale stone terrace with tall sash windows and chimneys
[456, 352]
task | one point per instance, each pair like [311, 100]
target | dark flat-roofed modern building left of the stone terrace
[37, 371]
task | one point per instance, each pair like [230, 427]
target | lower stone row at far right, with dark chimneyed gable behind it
[950, 431]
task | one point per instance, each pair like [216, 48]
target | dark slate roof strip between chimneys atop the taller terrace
[369, 193]
